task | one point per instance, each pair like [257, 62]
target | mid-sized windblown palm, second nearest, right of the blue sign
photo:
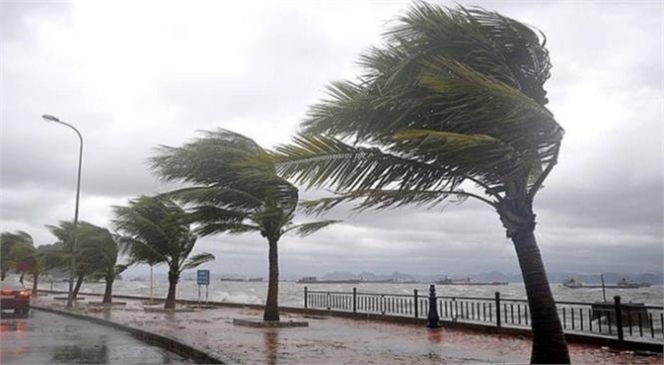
[236, 190]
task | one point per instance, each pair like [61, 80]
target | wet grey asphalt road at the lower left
[47, 338]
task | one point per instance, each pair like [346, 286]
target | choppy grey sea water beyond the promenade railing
[292, 294]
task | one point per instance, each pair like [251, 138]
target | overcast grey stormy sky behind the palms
[132, 75]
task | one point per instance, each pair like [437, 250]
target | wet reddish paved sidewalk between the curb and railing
[328, 340]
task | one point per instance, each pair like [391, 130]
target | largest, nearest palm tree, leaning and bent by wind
[455, 98]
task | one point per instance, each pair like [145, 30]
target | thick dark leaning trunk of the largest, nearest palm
[549, 345]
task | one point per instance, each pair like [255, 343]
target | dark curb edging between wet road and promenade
[167, 343]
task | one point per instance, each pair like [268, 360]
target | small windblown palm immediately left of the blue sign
[156, 229]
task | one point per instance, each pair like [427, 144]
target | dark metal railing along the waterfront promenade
[624, 321]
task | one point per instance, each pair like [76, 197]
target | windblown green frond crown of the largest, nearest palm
[463, 72]
